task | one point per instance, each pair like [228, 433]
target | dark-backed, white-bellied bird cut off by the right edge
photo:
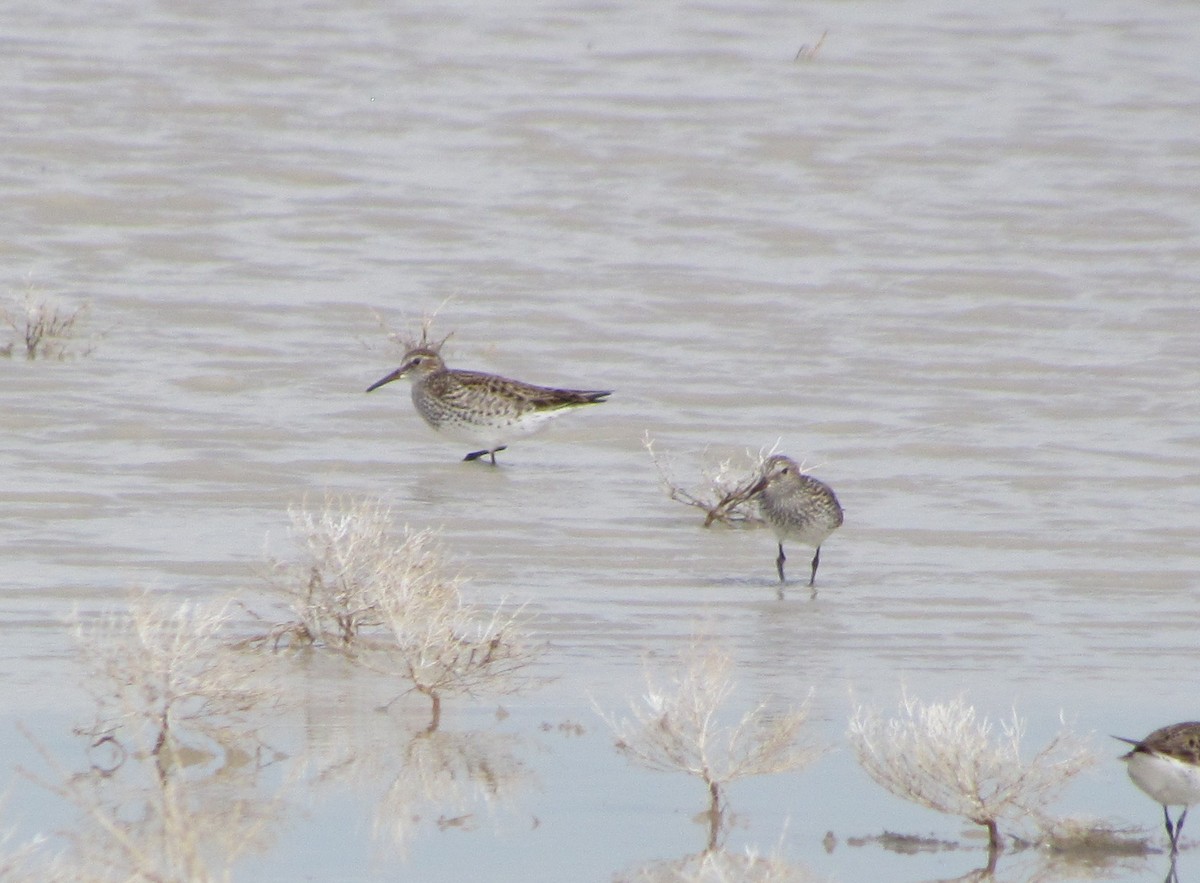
[1167, 766]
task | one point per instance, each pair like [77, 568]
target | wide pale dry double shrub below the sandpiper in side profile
[385, 600]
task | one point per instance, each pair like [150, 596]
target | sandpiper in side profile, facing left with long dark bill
[479, 409]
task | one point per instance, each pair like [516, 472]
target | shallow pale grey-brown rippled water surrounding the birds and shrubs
[951, 261]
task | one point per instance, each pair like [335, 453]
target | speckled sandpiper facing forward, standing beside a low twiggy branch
[799, 508]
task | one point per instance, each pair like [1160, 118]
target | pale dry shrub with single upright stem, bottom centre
[677, 728]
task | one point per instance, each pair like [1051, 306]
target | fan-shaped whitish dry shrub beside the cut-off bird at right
[944, 756]
